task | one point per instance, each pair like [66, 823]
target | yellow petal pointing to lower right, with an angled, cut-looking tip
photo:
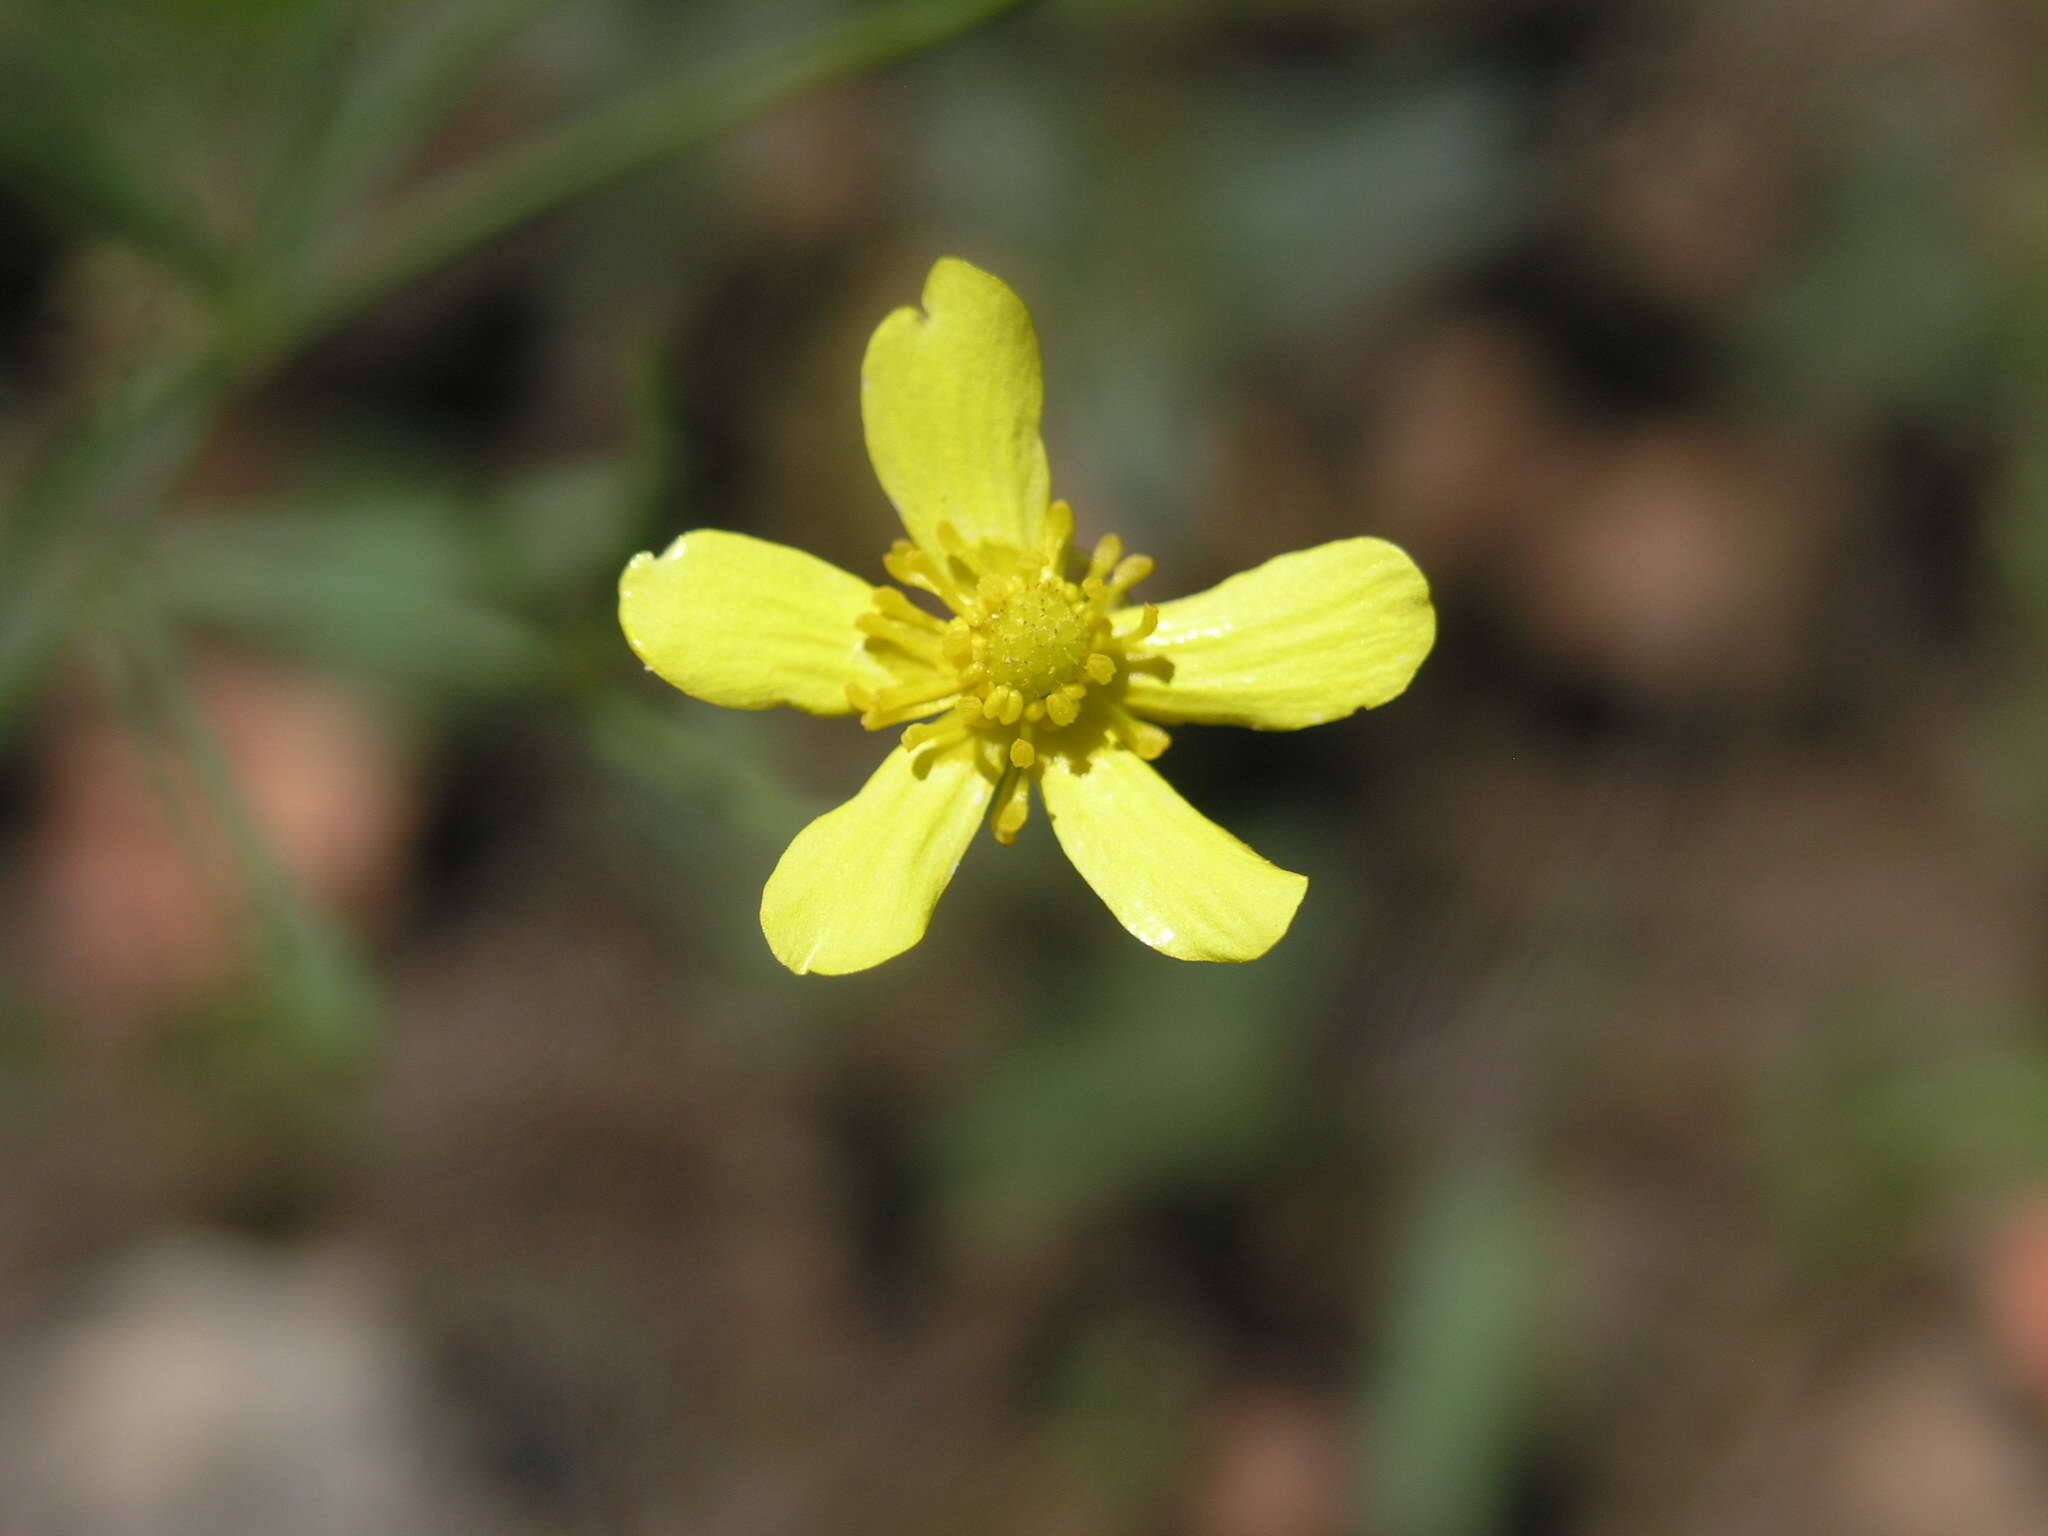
[1170, 876]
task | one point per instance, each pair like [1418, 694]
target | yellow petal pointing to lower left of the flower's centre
[861, 882]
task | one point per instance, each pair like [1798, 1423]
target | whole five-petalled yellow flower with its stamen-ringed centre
[1039, 673]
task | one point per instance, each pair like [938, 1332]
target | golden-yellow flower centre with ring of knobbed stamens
[1031, 648]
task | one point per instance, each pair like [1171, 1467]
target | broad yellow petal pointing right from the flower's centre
[1302, 640]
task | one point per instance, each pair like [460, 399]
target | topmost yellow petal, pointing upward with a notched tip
[951, 407]
